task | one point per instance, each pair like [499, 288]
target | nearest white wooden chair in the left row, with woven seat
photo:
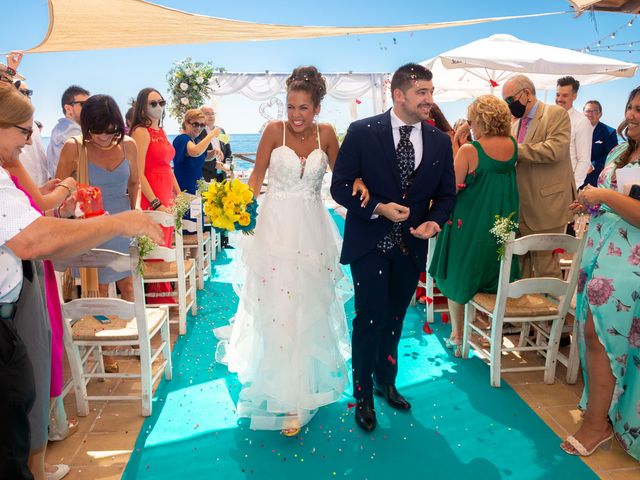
[93, 323]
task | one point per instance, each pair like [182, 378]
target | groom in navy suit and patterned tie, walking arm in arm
[407, 165]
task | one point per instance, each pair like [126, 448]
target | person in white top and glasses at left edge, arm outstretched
[24, 335]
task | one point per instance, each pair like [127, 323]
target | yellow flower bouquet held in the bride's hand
[230, 205]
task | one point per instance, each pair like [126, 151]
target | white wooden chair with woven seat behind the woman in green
[527, 302]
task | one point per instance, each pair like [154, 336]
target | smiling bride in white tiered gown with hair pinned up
[289, 338]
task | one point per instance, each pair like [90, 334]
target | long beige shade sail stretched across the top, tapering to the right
[100, 24]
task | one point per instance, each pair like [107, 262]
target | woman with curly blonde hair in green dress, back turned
[465, 260]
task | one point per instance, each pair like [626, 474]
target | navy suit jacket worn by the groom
[368, 152]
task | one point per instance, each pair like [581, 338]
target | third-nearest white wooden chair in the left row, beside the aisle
[198, 243]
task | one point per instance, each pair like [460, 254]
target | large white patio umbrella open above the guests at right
[479, 67]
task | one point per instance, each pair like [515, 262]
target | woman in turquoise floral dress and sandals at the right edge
[608, 303]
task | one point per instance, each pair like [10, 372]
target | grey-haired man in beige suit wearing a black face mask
[544, 172]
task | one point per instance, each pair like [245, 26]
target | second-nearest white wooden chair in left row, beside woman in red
[173, 268]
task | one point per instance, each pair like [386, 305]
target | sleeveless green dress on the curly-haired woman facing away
[465, 260]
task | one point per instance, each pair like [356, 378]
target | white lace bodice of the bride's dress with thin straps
[287, 177]
